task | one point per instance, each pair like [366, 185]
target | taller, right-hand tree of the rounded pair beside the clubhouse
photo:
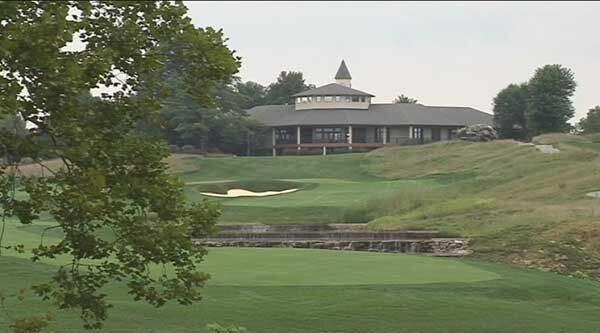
[549, 104]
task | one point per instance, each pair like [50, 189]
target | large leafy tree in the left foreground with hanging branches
[113, 177]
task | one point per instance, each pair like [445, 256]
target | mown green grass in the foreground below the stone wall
[327, 291]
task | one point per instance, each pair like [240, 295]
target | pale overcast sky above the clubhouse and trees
[455, 54]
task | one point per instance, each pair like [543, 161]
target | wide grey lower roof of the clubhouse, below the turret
[376, 115]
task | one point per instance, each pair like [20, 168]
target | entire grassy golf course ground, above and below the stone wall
[518, 205]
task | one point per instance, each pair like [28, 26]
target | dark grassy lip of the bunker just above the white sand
[252, 185]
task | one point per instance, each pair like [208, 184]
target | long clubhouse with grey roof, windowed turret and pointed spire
[337, 116]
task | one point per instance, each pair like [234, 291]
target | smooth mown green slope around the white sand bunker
[330, 186]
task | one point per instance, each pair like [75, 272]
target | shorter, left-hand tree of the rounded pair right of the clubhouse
[510, 106]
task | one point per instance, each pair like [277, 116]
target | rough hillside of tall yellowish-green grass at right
[518, 205]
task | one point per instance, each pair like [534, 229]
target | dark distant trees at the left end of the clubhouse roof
[223, 126]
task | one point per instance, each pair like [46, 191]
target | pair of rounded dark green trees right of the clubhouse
[541, 105]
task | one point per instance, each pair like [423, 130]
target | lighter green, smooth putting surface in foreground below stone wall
[304, 267]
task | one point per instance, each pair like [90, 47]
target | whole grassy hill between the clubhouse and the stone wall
[517, 204]
